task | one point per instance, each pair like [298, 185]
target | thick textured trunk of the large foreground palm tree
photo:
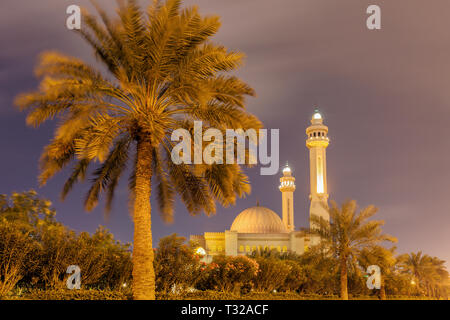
[143, 272]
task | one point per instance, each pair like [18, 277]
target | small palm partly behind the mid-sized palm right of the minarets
[382, 257]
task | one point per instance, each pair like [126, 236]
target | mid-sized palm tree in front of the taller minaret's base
[347, 234]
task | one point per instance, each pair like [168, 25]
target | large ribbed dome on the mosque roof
[258, 220]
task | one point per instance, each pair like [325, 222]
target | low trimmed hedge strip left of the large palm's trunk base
[66, 294]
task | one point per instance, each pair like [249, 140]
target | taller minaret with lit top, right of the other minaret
[317, 142]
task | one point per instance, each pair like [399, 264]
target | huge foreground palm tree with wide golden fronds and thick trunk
[162, 74]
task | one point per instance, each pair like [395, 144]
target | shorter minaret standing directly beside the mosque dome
[287, 188]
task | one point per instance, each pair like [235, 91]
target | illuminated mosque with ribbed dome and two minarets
[259, 228]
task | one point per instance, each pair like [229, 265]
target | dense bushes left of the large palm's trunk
[35, 250]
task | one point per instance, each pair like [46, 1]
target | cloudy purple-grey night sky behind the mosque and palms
[383, 94]
